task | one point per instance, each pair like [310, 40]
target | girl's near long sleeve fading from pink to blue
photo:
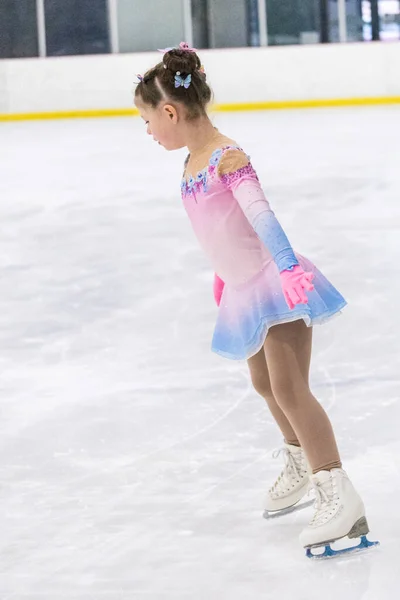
[237, 173]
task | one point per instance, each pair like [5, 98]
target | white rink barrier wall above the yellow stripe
[236, 75]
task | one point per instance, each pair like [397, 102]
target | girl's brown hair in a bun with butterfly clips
[159, 83]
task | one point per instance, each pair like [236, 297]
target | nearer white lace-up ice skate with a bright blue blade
[339, 512]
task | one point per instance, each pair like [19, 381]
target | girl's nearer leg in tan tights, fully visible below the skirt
[287, 350]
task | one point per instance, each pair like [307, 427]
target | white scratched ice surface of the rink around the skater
[133, 461]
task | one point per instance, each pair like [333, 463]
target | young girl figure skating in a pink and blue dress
[269, 297]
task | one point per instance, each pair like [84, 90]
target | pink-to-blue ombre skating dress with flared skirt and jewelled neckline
[248, 249]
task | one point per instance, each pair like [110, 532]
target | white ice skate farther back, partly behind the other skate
[291, 486]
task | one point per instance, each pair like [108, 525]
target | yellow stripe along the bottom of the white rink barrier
[231, 107]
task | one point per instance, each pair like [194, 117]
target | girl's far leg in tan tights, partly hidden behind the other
[260, 379]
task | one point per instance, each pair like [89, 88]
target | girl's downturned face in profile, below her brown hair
[163, 124]
